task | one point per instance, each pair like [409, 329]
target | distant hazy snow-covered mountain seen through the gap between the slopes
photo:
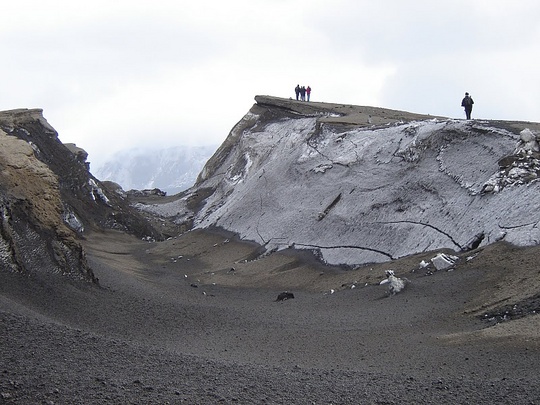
[172, 169]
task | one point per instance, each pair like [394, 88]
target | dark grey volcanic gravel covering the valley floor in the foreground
[147, 336]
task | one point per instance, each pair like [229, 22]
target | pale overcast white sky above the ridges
[112, 74]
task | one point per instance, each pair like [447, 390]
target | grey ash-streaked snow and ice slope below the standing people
[364, 184]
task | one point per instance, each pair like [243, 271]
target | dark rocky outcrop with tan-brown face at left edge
[48, 199]
